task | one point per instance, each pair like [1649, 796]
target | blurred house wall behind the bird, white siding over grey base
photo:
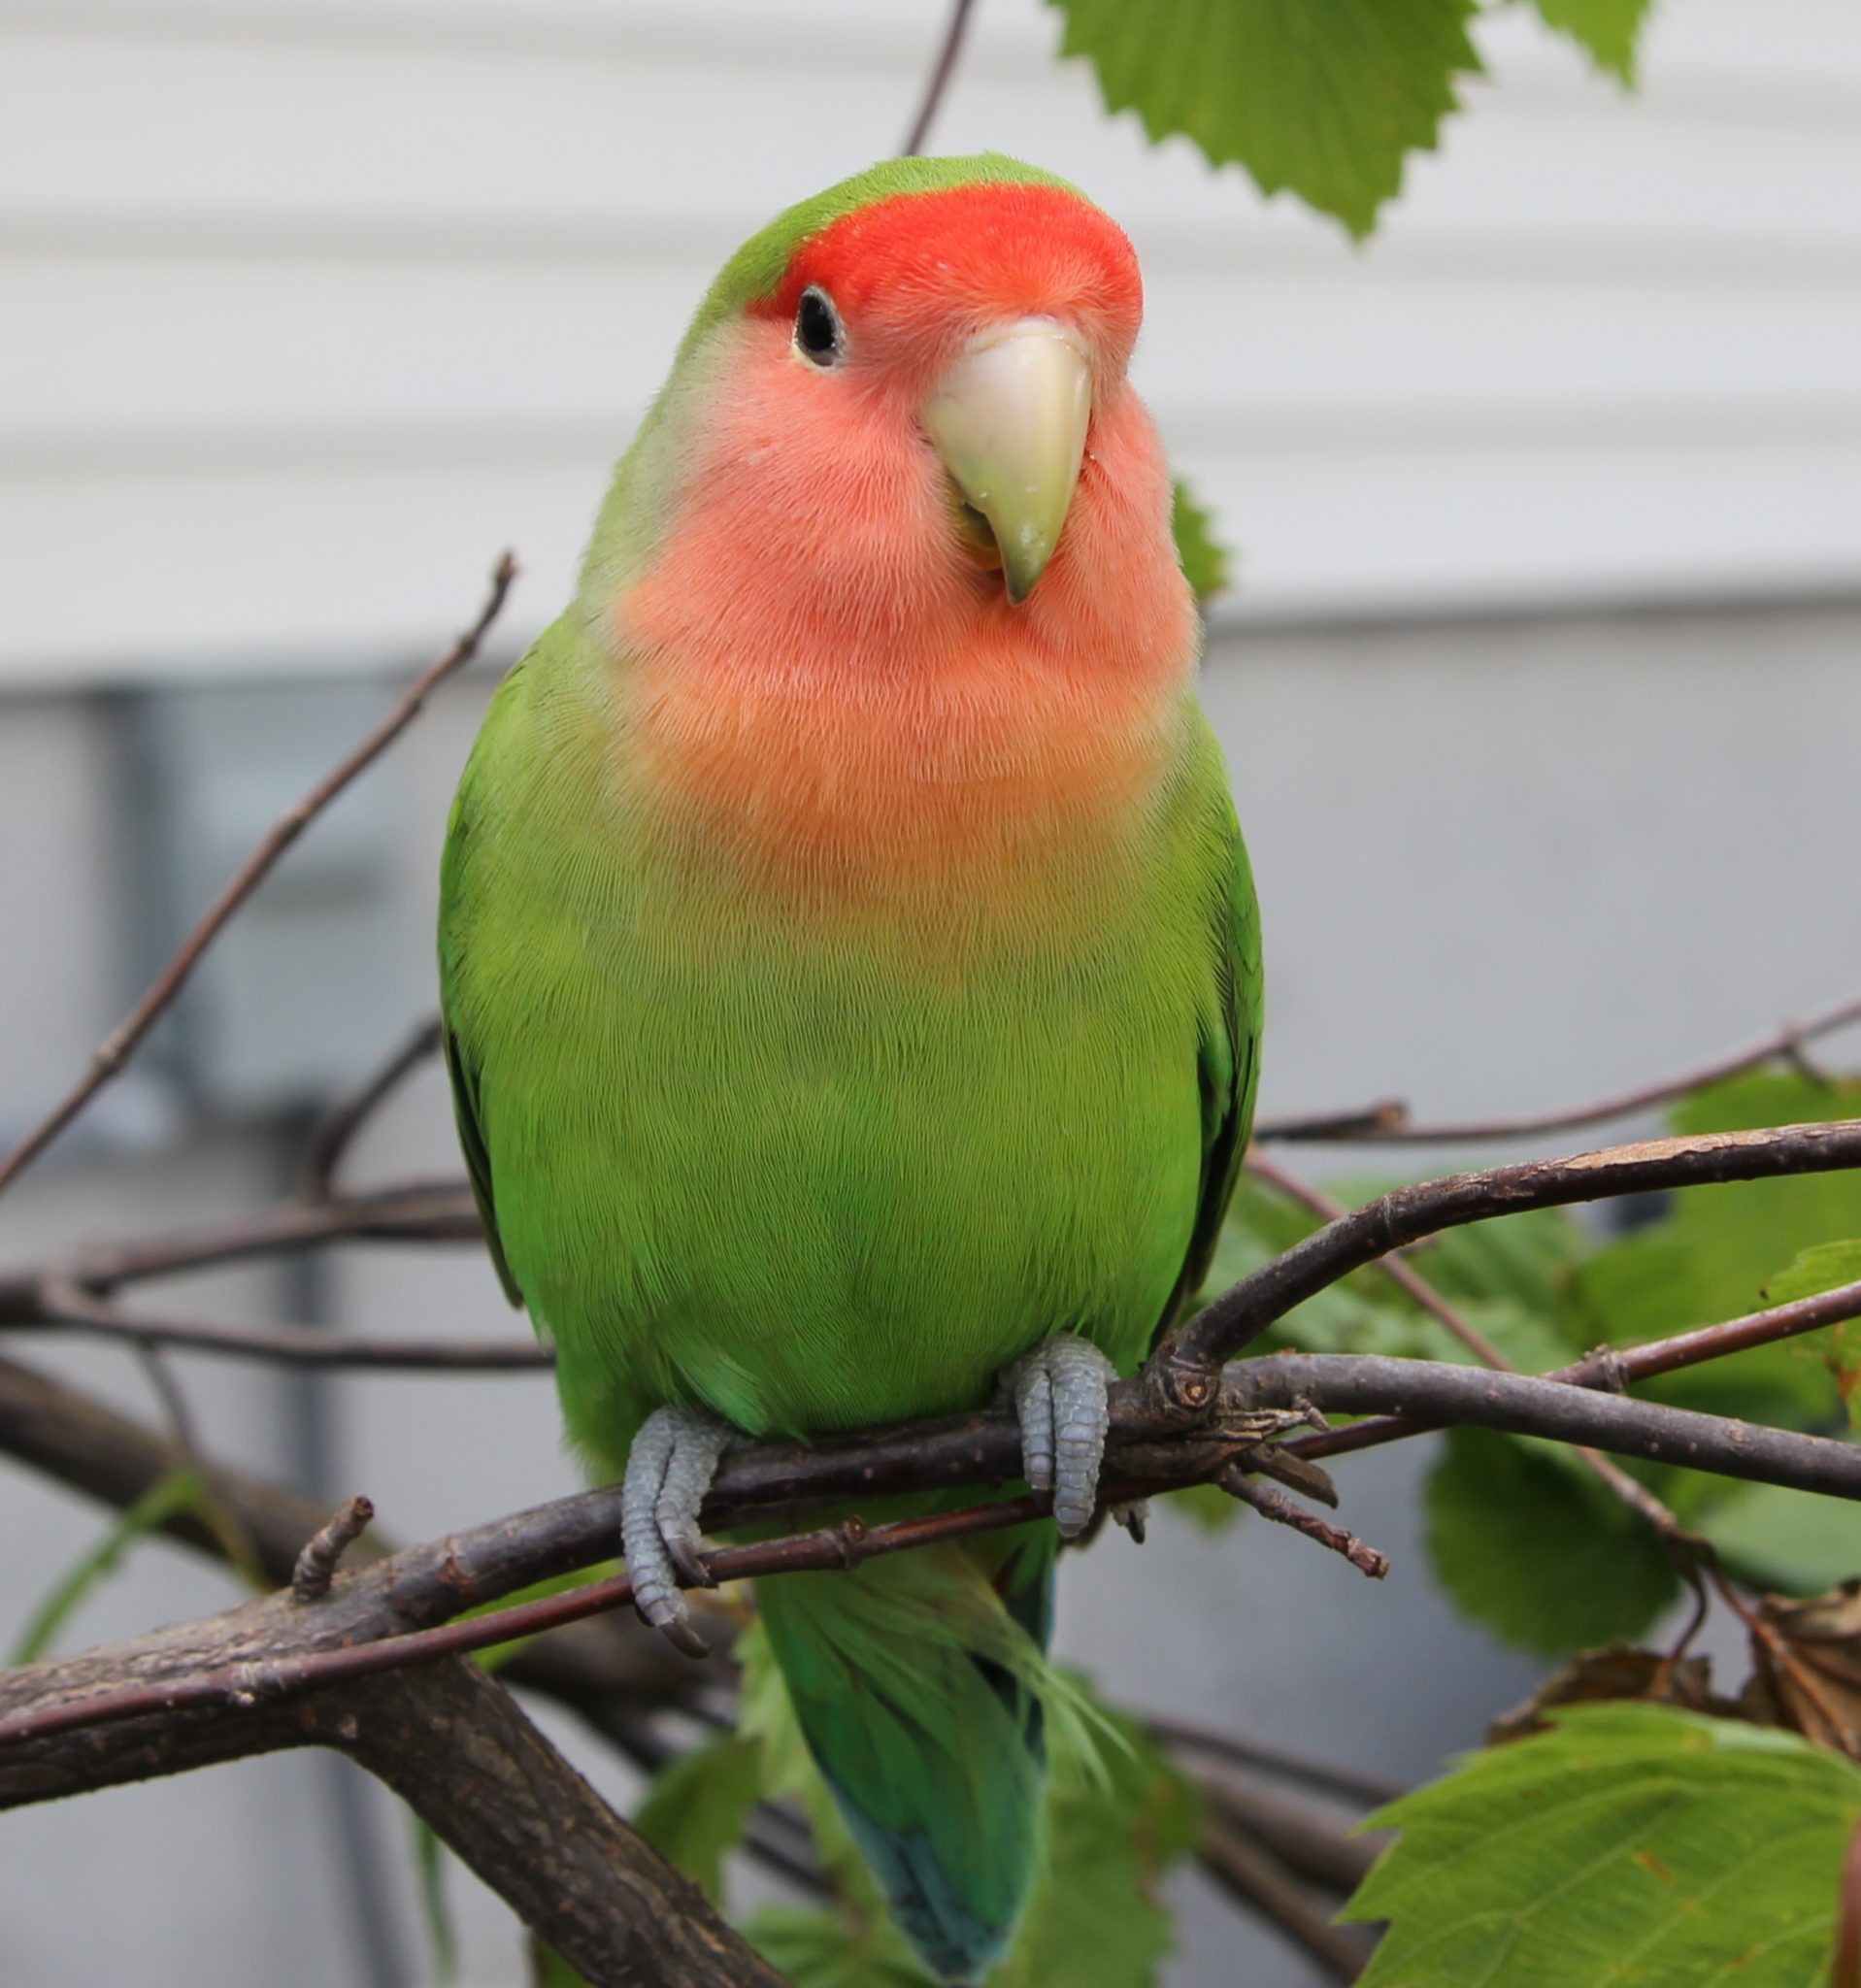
[1542, 693]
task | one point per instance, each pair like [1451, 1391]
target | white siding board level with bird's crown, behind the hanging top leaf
[246, 128]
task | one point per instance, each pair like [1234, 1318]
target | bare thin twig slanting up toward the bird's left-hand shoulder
[122, 1043]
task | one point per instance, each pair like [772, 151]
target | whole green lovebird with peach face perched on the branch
[850, 957]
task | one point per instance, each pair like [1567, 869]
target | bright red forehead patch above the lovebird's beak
[987, 249]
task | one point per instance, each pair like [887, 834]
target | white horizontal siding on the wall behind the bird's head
[307, 309]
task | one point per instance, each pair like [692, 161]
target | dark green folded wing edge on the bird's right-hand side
[1230, 1063]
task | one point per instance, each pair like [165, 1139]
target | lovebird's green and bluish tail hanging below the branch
[926, 1697]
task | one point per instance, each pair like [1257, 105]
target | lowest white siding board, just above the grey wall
[232, 572]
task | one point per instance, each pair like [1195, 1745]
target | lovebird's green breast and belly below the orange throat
[818, 1176]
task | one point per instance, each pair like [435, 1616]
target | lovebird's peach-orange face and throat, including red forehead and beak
[920, 581]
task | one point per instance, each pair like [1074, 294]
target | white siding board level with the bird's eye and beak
[178, 349]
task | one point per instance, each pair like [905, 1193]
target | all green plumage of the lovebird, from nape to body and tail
[816, 1174]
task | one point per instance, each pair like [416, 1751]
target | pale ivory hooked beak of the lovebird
[1009, 422]
